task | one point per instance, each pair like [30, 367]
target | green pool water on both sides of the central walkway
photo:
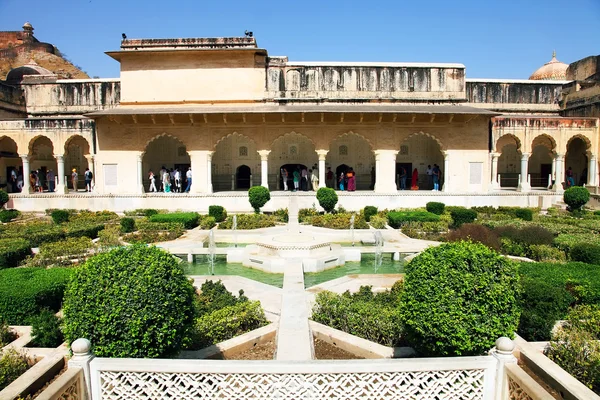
[365, 266]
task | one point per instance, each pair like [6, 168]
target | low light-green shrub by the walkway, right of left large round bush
[227, 322]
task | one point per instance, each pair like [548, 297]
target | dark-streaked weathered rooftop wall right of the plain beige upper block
[344, 82]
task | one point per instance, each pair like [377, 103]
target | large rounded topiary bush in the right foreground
[458, 299]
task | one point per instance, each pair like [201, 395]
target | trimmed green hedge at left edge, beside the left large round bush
[24, 292]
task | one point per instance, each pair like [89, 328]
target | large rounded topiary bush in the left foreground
[130, 302]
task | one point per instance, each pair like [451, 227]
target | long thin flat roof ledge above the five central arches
[295, 108]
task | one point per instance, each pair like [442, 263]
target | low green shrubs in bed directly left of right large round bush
[374, 317]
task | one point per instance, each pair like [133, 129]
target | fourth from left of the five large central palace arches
[351, 150]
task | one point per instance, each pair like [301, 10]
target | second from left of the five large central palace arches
[232, 152]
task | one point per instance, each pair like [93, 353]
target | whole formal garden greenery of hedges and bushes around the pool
[76, 273]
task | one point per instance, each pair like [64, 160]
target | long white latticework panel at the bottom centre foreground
[442, 385]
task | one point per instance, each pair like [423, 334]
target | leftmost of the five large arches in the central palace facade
[169, 154]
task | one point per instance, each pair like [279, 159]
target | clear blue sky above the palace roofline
[493, 38]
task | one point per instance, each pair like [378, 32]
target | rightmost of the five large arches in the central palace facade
[419, 151]
